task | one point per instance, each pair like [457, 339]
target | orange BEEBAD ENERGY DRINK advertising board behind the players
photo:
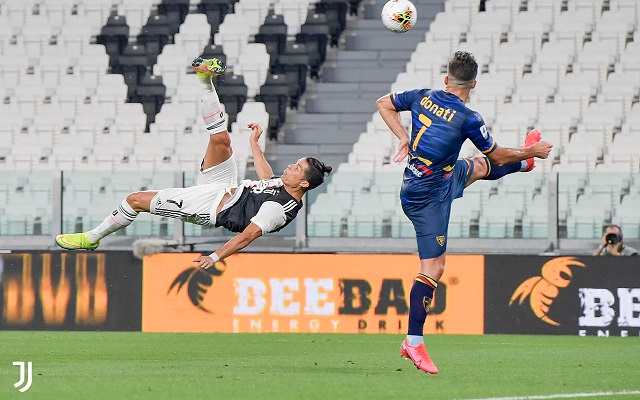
[333, 293]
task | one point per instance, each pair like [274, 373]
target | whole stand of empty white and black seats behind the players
[106, 84]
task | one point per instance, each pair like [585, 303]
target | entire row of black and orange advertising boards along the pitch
[345, 293]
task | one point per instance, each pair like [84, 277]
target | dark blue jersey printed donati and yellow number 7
[440, 124]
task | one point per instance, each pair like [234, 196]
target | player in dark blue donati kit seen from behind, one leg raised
[434, 175]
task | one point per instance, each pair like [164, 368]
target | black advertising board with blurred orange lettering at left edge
[70, 291]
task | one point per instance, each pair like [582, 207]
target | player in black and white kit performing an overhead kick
[252, 208]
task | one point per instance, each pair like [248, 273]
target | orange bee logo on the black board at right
[542, 290]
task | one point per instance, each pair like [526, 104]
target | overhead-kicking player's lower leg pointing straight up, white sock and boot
[219, 147]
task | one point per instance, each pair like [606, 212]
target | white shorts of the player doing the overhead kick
[198, 204]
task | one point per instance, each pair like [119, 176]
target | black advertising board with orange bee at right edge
[595, 296]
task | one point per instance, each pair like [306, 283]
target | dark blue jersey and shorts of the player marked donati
[434, 176]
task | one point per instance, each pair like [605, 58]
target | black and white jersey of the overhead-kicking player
[265, 203]
